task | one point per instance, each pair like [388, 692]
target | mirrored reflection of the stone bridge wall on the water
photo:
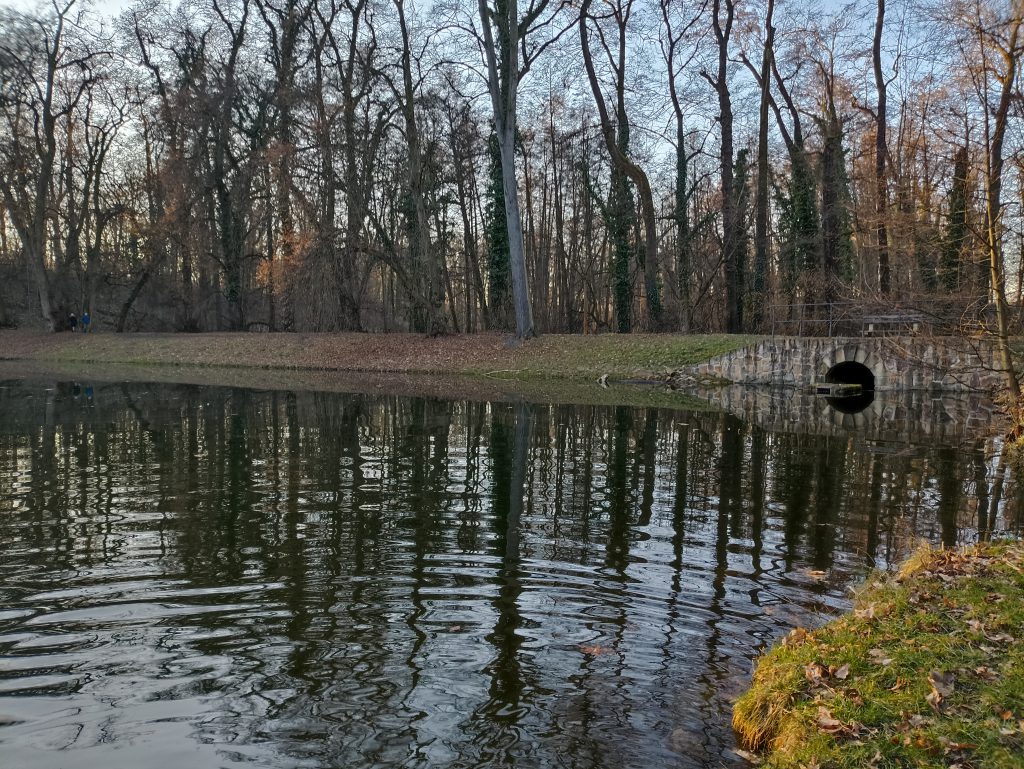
[949, 419]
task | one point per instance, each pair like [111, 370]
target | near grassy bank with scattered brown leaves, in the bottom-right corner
[927, 671]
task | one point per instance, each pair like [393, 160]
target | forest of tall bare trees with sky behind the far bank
[531, 166]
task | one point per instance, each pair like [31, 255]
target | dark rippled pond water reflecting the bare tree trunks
[210, 577]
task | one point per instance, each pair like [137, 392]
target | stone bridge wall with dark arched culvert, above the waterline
[879, 364]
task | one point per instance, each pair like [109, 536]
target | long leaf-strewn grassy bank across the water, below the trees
[554, 357]
